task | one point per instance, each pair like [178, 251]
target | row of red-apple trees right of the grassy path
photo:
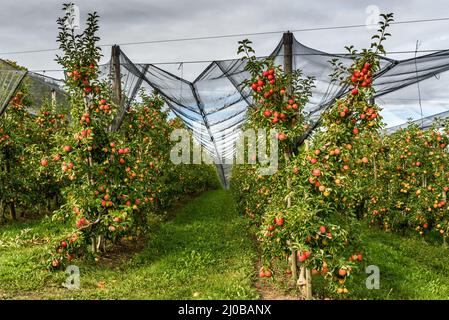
[346, 173]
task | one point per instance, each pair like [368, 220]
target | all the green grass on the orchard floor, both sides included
[205, 252]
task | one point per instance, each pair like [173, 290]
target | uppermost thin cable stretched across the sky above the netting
[239, 35]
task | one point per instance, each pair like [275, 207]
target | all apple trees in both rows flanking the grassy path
[107, 185]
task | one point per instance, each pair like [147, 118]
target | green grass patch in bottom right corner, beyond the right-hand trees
[410, 268]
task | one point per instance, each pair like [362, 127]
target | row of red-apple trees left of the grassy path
[101, 184]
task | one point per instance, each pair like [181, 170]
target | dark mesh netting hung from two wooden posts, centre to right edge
[214, 105]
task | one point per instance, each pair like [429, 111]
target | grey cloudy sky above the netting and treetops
[31, 25]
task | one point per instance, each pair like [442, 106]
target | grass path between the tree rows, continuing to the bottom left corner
[203, 253]
